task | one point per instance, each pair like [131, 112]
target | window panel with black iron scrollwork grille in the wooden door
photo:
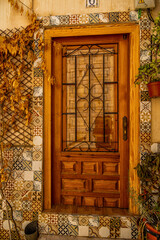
[90, 98]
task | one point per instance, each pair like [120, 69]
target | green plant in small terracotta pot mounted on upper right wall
[149, 73]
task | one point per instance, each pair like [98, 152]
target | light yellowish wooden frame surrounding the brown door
[134, 112]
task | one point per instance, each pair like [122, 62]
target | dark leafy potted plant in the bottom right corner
[148, 199]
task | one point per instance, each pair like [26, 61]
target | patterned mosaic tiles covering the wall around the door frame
[24, 188]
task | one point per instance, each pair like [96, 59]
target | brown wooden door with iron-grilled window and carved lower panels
[90, 121]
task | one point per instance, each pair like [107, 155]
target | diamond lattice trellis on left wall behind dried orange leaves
[22, 136]
